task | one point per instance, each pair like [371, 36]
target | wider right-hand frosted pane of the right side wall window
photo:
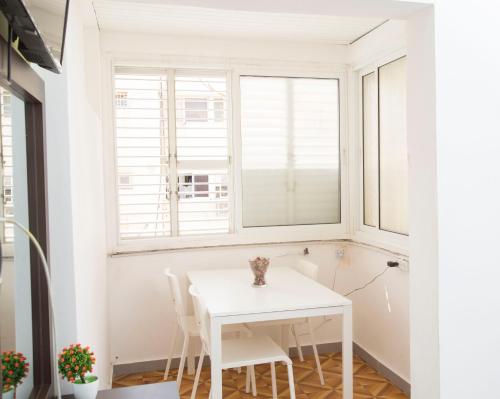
[393, 148]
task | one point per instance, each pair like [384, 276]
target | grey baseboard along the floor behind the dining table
[395, 379]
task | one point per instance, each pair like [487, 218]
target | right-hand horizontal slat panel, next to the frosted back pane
[202, 152]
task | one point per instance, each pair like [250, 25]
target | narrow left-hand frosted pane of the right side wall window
[370, 150]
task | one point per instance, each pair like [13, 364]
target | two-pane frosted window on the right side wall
[385, 159]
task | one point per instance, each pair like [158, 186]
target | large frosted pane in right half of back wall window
[290, 151]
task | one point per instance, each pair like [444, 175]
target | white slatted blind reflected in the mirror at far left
[6, 167]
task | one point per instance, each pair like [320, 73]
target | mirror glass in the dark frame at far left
[16, 333]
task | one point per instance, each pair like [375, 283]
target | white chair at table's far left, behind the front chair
[188, 325]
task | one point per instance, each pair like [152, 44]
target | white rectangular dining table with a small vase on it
[230, 299]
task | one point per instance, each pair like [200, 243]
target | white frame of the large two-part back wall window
[237, 235]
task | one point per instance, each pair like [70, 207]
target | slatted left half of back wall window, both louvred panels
[165, 134]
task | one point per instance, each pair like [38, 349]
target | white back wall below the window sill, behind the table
[140, 301]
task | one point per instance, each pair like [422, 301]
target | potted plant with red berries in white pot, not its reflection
[75, 364]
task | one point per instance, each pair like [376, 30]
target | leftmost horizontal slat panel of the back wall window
[141, 124]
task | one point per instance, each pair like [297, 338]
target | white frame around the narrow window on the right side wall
[361, 232]
